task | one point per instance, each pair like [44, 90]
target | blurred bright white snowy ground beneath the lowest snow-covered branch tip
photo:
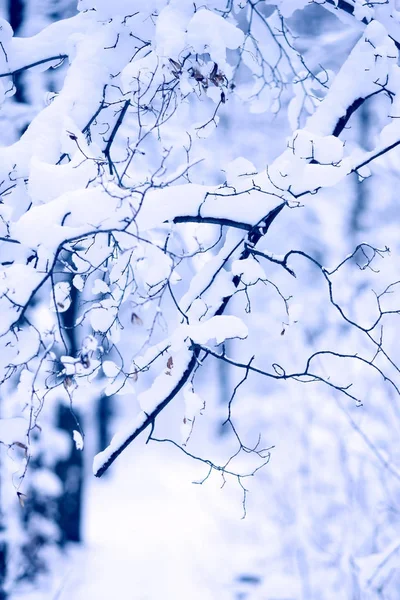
[151, 534]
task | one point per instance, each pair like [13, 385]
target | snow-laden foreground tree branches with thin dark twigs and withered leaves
[131, 203]
